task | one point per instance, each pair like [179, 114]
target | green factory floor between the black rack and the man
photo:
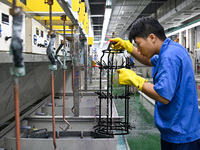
[145, 136]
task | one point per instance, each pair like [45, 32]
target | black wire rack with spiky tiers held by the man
[106, 124]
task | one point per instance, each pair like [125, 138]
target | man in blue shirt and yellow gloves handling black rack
[176, 112]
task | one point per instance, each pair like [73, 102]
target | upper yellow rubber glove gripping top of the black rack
[122, 44]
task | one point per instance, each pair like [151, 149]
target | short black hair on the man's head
[144, 26]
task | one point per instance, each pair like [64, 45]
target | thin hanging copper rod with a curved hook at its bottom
[64, 67]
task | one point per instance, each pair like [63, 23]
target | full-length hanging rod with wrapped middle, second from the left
[53, 66]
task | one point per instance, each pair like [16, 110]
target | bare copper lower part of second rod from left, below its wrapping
[53, 110]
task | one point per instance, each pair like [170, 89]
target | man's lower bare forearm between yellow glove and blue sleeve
[149, 91]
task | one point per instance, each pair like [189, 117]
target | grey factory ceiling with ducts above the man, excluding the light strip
[170, 13]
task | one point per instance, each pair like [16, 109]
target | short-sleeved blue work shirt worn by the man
[179, 120]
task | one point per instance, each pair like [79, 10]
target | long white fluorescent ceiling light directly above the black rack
[107, 15]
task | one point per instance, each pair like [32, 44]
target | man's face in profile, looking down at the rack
[145, 46]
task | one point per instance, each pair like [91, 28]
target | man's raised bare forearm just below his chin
[144, 60]
